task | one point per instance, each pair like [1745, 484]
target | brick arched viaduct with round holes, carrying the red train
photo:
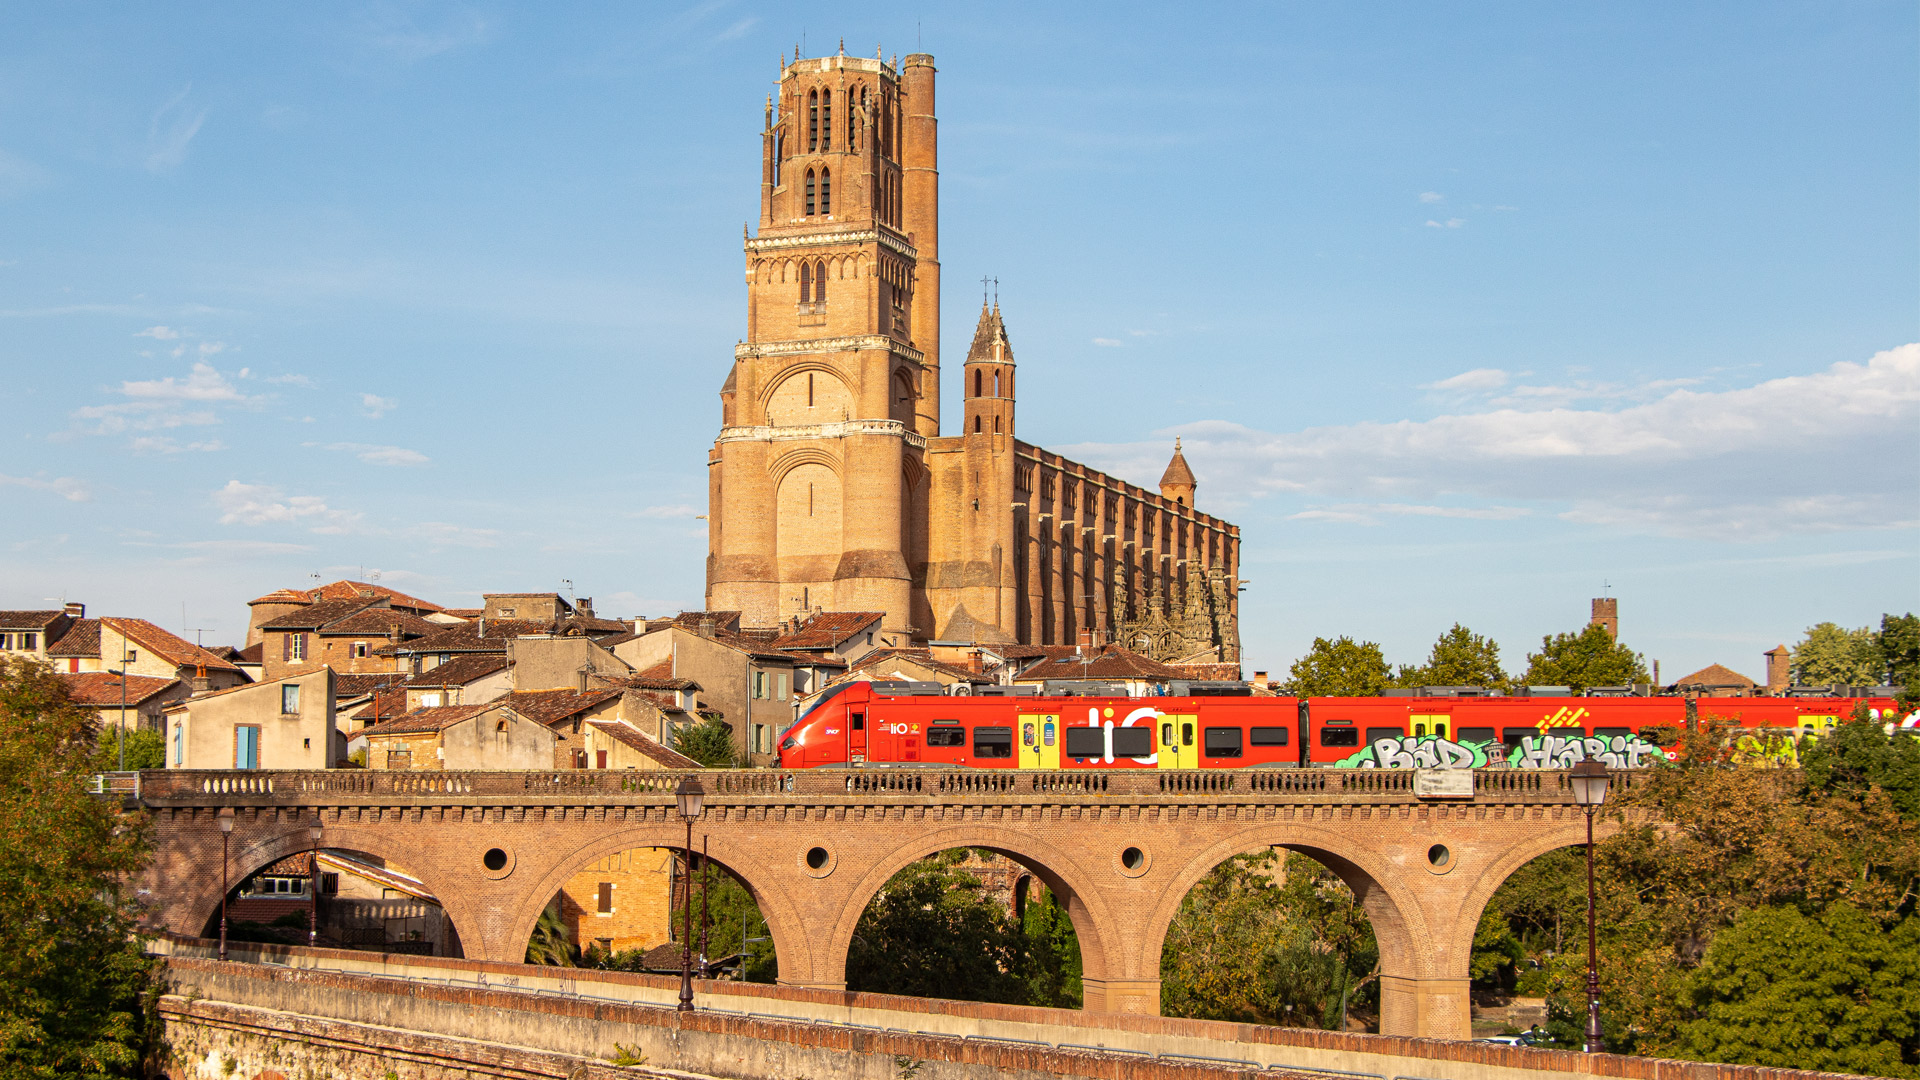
[1120, 848]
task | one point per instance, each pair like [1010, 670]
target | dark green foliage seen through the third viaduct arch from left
[930, 933]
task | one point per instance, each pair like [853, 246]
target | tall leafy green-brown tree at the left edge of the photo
[80, 993]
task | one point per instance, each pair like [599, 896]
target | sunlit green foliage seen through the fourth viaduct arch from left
[1270, 943]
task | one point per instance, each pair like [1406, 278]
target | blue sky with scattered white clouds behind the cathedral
[1466, 312]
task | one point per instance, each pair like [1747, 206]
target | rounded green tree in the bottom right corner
[1827, 993]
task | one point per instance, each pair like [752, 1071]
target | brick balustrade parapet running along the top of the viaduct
[1395, 787]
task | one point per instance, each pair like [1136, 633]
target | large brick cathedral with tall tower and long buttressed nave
[832, 485]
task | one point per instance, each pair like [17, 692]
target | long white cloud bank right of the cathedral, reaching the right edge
[1800, 454]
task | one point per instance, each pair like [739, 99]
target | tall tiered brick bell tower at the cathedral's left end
[819, 483]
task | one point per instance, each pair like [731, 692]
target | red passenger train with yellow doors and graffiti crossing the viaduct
[909, 725]
